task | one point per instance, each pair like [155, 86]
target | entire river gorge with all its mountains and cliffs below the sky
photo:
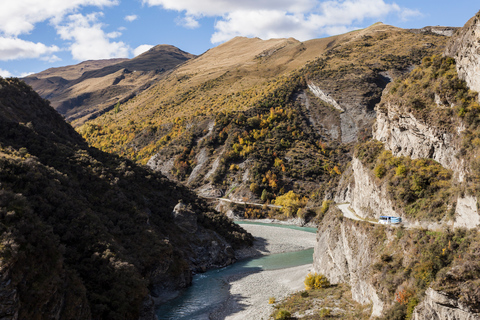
[114, 214]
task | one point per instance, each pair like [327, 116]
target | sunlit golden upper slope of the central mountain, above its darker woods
[241, 73]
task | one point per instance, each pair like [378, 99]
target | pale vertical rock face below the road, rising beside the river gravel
[344, 253]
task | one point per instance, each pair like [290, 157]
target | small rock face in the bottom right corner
[438, 306]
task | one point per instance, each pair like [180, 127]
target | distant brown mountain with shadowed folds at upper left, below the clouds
[90, 88]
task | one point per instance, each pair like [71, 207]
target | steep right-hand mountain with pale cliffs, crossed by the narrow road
[421, 165]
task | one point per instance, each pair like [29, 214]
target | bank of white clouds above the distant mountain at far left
[84, 34]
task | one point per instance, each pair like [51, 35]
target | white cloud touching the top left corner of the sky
[19, 16]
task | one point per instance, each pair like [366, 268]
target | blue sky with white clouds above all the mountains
[37, 35]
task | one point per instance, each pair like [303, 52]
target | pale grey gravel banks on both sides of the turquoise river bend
[249, 293]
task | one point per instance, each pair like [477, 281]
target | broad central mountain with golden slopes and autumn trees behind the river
[257, 119]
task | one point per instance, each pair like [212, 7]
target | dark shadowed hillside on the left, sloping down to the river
[89, 235]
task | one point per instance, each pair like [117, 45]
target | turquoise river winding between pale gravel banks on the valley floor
[211, 289]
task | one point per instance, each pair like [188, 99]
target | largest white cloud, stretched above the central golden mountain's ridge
[302, 19]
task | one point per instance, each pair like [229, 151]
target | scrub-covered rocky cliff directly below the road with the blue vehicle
[396, 269]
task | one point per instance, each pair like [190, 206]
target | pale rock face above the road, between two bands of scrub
[405, 135]
